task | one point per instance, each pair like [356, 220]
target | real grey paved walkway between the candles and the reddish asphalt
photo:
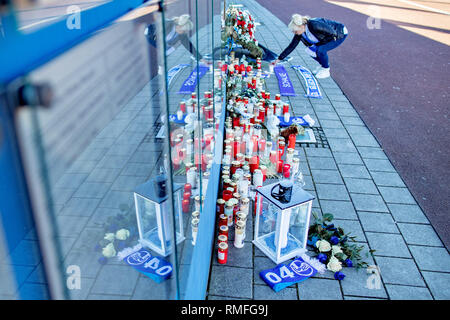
[355, 181]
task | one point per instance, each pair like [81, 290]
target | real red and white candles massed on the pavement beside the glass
[245, 151]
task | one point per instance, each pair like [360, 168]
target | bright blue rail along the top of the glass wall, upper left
[22, 53]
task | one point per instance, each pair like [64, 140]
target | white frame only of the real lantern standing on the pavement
[283, 215]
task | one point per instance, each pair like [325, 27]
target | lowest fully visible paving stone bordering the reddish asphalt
[419, 234]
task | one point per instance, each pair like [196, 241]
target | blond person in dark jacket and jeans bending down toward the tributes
[319, 35]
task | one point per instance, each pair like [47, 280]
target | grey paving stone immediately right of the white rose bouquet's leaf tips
[387, 244]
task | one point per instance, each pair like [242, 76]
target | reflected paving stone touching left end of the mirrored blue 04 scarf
[114, 279]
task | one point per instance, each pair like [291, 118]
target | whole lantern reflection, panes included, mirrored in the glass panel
[153, 216]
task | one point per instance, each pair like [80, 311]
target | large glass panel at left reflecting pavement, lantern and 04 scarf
[99, 159]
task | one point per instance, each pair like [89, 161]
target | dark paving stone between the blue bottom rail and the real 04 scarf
[222, 284]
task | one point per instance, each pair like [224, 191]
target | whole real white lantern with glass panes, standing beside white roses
[281, 229]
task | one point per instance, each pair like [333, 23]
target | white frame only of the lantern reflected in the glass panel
[163, 229]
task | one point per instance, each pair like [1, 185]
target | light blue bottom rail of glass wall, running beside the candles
[201, 257]
